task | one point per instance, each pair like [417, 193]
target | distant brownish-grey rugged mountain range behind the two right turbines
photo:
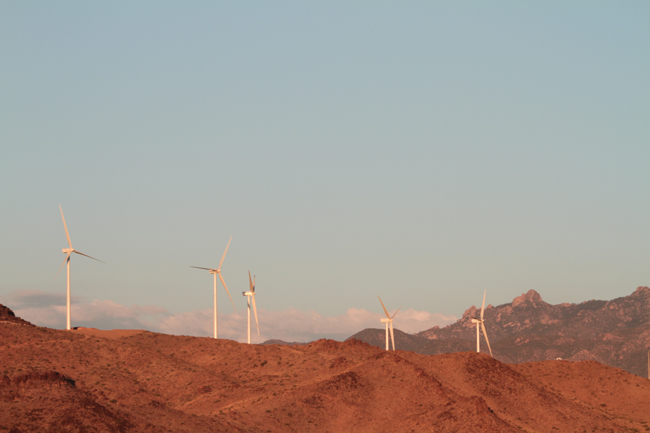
[616, 332]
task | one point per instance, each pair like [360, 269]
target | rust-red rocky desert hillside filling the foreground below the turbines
[83, 380]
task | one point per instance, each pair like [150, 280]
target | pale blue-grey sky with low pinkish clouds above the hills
[419, 151]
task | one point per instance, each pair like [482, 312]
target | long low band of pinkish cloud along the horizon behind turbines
[46, 309]
